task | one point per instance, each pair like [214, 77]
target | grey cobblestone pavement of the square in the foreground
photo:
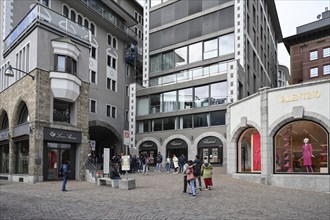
[159, 196]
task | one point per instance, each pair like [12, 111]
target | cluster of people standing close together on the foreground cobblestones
[196, 169]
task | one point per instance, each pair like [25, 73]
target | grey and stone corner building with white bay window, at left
[81, 57]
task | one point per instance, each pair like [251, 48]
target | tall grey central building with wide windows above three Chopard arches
[199, 56]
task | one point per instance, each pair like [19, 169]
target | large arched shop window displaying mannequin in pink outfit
[301, 147]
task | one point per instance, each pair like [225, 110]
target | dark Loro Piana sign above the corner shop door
[52, 134]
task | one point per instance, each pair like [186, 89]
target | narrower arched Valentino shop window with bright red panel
[249, 151]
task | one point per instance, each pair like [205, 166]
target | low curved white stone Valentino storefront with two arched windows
[265, 144]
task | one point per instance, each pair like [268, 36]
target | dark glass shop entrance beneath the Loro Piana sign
[58, 153]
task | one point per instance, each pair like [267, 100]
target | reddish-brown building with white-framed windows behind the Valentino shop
[309, 50]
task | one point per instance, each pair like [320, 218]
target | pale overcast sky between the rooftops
[292, 14]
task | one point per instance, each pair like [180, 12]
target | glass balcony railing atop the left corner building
[53, 19]
